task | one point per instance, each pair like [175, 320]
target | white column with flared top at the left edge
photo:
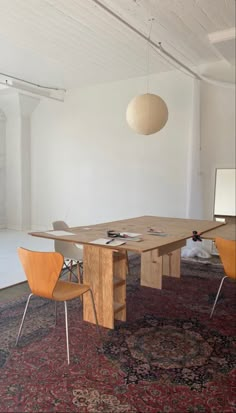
[18, 109]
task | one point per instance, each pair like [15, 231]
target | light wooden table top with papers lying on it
[174, 232]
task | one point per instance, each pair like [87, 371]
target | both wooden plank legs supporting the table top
[105, 271]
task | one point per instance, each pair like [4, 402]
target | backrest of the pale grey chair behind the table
[67, 249]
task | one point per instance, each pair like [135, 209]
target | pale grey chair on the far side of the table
[71, 252]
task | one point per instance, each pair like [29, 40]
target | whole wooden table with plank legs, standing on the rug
[159, 242]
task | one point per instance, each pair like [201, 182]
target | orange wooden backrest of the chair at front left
[42, 270]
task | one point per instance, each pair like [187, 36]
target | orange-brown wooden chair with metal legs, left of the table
[42, 270]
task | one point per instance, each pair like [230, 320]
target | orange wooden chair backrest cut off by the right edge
[227, 252]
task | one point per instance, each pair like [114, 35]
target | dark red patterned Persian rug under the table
[169, 356]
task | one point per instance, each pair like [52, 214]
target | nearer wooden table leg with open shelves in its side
[105, 271]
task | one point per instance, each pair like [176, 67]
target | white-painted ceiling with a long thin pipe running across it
[70, 43]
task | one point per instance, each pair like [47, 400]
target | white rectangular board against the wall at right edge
[225, 183]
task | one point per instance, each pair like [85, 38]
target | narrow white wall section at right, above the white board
[217, 137]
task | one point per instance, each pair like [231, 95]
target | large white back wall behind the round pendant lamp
[89, 167]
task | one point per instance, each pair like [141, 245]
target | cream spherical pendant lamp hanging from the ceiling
[147, 114]
